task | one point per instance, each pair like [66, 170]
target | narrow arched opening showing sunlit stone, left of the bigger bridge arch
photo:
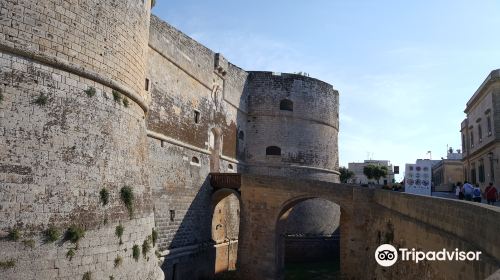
[225, 231]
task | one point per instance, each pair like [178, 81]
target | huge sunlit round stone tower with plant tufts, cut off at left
[73, 150]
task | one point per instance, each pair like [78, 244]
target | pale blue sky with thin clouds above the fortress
[404, 69]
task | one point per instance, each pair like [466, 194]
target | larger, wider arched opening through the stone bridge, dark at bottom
[308, 240]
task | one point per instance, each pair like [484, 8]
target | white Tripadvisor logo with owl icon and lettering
[387, 255]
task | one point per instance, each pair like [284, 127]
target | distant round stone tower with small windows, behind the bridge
[292, 126]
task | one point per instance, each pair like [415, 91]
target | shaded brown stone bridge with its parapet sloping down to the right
[368, 218]
